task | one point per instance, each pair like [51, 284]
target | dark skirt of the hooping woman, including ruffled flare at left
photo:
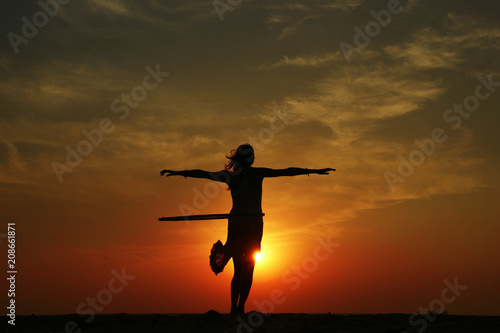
[244, 236]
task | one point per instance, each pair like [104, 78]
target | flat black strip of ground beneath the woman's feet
[213, 321]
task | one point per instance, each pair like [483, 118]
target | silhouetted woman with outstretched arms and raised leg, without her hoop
[245, 225]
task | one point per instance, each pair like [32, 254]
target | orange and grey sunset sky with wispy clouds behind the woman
[100, 96]
